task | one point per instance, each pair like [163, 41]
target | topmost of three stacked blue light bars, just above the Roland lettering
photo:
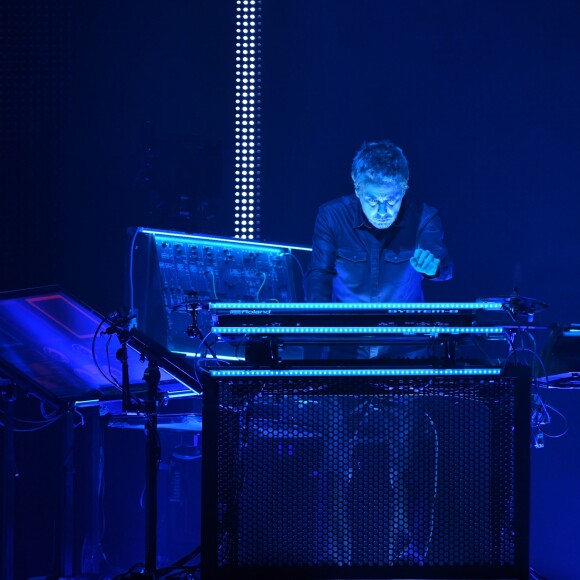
[253, 306]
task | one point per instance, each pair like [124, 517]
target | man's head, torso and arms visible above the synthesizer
[376, 245]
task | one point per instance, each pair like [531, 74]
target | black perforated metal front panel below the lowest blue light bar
[346, 478]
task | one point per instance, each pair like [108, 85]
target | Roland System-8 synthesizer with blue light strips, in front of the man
[268, 332]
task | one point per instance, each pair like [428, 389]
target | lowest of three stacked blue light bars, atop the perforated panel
[353, 372]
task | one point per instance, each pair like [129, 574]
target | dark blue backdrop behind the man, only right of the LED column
[481, 95]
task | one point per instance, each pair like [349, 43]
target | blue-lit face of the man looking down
[381, 202]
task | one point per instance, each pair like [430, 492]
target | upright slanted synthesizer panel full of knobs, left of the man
[171, 272]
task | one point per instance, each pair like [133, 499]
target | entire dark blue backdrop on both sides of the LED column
[113, 110]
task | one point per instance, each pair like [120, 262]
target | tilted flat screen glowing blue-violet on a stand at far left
[60, 350]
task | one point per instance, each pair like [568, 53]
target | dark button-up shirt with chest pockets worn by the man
[352, 261]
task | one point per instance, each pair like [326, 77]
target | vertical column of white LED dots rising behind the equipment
[247, 158]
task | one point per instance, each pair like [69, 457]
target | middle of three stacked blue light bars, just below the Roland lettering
[358, 330]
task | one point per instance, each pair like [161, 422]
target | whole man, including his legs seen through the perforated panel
[377, 246]
